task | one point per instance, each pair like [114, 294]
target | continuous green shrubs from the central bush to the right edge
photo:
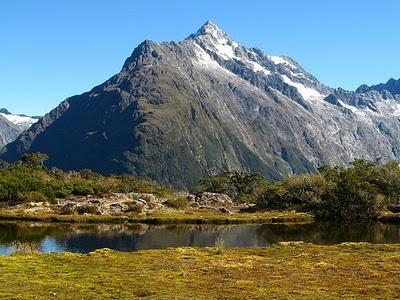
[362, 190]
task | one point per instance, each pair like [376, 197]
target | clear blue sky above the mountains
[52, 49]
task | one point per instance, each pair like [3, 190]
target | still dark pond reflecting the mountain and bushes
[83, 239]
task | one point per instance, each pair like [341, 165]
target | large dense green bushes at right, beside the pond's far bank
[359, 191]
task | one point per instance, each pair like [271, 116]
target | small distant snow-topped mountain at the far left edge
[11, 125]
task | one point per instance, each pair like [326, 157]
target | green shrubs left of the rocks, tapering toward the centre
[29, 181]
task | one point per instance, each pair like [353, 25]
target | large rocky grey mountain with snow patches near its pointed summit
[178, 111]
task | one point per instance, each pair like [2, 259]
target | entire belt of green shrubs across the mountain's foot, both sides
[364, 190]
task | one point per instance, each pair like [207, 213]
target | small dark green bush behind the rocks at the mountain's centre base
[239, 185]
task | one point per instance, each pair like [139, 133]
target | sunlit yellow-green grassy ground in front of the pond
[286, 270]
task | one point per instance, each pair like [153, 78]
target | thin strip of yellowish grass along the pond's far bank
[165, 217]
